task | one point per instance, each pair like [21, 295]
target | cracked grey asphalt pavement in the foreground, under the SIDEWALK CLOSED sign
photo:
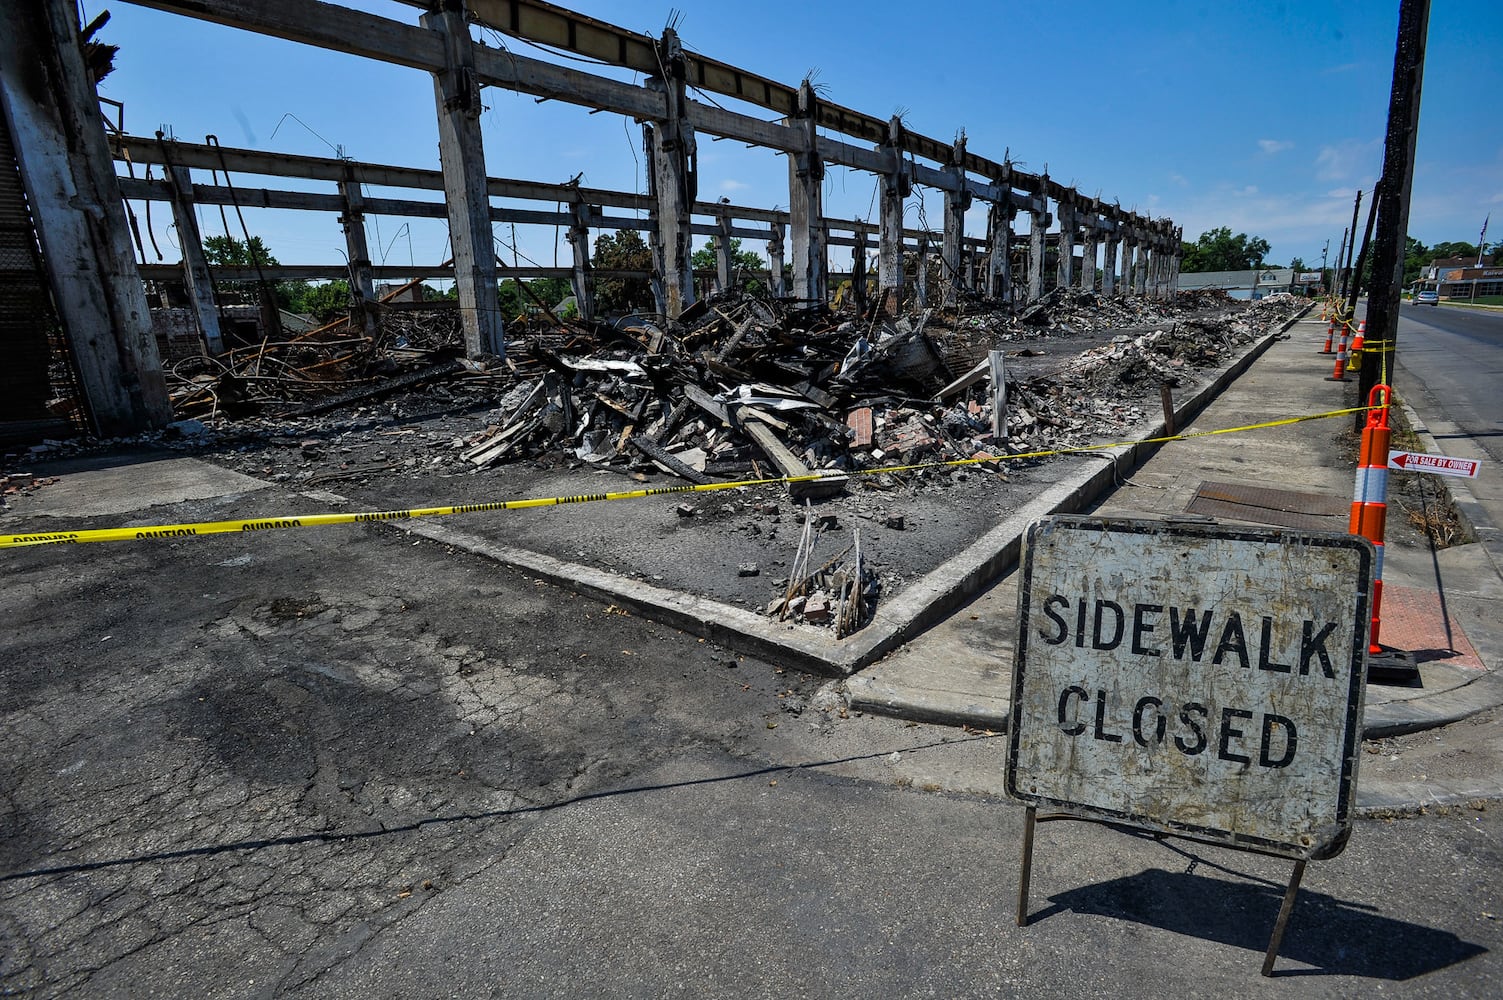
[348, 765]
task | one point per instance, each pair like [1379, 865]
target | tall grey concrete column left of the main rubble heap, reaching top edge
[462, 156]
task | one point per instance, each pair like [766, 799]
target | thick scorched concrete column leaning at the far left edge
[65, 165]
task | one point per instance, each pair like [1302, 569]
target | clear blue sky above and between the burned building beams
[1265, 118]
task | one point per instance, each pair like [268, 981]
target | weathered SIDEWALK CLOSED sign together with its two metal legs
[1163, 799]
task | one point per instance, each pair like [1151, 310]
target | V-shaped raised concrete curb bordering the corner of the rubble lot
[916, 610]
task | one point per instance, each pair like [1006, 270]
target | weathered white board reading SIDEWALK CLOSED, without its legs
[1194, 680]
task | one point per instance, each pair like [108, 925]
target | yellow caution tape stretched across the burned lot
[316, 521]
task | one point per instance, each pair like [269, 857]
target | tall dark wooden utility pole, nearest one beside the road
[1394, 196]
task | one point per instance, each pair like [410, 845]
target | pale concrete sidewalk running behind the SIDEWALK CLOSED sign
[1445, 608]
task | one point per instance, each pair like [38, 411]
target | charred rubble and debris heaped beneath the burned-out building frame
[739, 389]
